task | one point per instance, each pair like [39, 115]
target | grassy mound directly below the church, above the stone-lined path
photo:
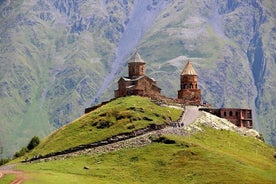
[119, 116]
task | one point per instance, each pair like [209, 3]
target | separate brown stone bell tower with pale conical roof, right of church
[189, 93]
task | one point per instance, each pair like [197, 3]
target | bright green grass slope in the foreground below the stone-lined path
[212, 156]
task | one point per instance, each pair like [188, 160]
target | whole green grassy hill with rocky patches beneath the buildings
[210, 150]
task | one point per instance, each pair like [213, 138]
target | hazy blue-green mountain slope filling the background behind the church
[57, 57]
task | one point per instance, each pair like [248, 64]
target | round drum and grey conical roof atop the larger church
[136, 66]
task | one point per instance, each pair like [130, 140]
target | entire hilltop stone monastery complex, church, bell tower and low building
[138, 83]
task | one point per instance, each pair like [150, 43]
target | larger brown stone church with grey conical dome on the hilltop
[137, 83]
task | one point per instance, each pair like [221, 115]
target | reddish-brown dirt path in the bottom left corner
[9, 169]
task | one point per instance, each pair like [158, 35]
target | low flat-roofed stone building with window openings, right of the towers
[239, 117]
